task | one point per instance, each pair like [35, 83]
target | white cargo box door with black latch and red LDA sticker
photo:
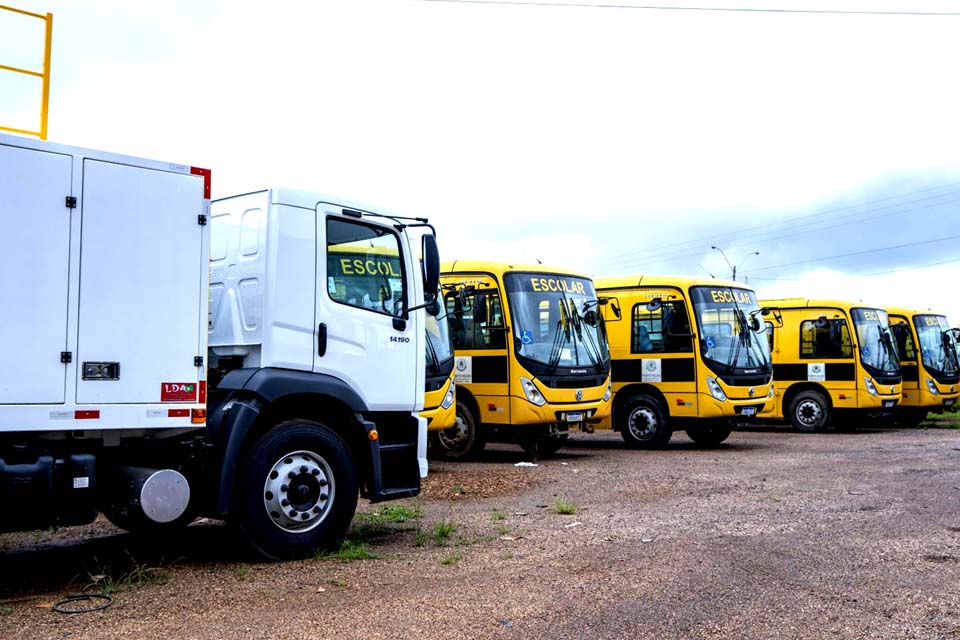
[140, 224]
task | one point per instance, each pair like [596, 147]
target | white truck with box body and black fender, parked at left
[116, 272]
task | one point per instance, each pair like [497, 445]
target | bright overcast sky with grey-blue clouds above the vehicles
[607, 140]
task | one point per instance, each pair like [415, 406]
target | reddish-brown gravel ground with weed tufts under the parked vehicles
[772, 535]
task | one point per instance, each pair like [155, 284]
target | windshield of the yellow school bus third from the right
[731, 333]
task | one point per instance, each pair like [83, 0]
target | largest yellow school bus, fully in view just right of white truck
[530, 352]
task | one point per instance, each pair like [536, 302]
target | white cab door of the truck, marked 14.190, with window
[362, 290]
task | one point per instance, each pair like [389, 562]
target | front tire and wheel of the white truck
[297, 491]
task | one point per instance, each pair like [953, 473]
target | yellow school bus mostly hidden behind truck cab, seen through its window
[353, 270]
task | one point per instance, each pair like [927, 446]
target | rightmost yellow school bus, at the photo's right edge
[928, 357]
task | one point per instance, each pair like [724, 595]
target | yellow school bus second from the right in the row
[829, 356]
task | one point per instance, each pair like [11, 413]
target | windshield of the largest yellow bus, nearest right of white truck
[555, 320]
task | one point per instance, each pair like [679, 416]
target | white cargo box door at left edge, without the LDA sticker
[34, 274]
